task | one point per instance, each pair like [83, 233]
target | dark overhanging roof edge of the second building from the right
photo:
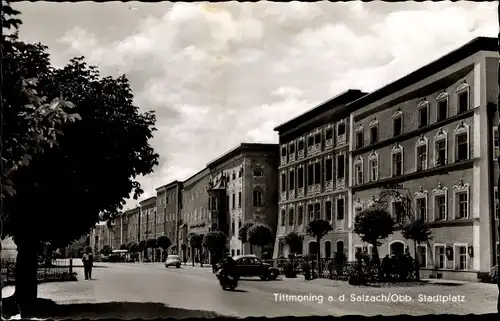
[341, 99]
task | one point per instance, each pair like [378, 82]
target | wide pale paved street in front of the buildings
[197, 289]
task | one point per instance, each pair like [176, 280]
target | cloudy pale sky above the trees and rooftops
[218, 74]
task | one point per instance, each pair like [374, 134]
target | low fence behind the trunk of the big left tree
[58, 270]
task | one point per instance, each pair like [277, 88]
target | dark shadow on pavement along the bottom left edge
[48, 309]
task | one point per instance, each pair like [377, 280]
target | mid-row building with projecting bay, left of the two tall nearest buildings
[243, 187]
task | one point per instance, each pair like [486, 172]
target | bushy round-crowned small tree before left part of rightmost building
[374, 224]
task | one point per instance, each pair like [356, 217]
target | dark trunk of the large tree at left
[26, 281]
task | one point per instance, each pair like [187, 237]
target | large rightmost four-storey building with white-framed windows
[422, 138]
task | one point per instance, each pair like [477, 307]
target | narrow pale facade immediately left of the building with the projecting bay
[194, 211]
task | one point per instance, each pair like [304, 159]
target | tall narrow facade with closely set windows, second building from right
[313, 175]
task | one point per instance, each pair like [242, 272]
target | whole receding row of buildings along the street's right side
[432, 134]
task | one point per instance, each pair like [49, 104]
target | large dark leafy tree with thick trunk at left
[109, 140]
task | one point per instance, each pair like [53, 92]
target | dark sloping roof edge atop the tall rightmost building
[453, 57]
